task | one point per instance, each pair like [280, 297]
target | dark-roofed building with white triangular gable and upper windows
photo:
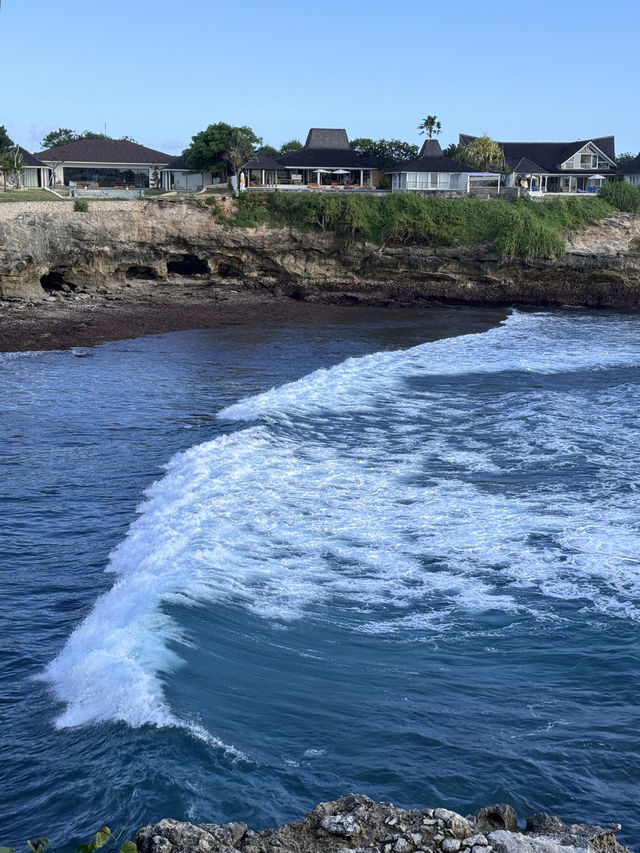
[558, 167]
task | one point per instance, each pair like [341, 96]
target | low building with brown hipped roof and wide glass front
[96, 163]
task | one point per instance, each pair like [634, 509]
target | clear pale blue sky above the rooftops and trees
[161, 71]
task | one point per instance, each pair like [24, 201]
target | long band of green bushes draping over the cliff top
[519, 228]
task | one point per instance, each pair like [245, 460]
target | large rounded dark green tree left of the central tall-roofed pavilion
[216, 148]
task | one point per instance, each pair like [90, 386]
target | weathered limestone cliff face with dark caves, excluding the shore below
[48, 248]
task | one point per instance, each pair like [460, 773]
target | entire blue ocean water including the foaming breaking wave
[244, 571]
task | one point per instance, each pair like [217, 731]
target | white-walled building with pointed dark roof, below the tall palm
[431, 171]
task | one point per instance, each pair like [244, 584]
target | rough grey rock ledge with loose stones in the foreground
[357, 824]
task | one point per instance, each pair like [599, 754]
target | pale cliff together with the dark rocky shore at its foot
[132, 268]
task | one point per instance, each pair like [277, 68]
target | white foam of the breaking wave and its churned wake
[358, 491]
